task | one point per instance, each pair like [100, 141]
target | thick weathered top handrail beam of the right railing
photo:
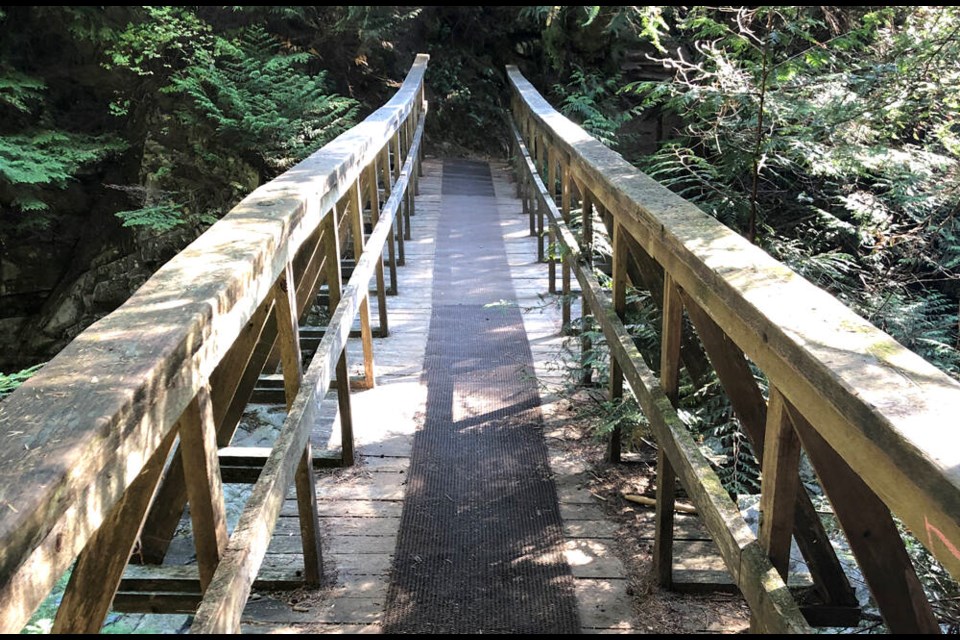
[884, 409]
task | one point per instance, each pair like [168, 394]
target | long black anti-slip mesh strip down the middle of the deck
[480, 541]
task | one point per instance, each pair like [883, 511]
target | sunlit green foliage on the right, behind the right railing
[829, 136]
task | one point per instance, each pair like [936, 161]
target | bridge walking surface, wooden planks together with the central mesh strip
[495, 531]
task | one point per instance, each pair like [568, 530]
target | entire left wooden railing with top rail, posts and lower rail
[88, 441]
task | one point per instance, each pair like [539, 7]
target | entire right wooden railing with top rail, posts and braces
[876, 421]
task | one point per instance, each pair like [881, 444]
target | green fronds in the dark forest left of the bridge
[204, 111]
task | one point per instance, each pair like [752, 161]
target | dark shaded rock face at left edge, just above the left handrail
[47, 299]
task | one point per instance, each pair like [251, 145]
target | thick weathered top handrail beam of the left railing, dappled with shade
[79, 433]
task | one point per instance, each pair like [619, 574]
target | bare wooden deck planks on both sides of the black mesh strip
[361, 508]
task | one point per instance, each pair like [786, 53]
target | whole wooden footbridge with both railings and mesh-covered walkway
[136, 419]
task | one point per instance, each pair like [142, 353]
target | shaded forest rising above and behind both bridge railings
[827, 135]
